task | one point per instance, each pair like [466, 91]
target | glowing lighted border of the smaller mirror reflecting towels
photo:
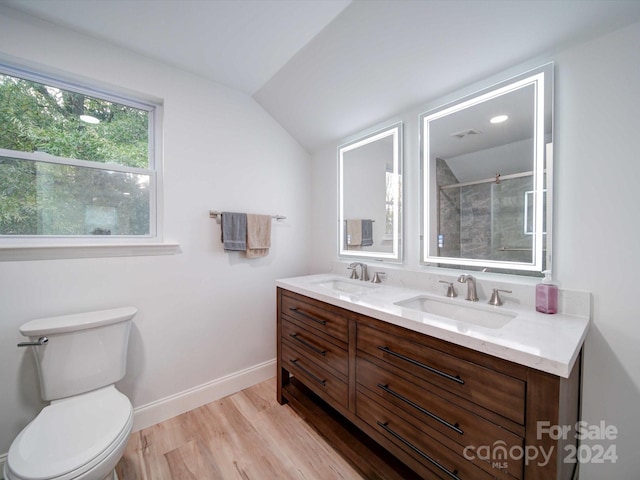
[394, 130]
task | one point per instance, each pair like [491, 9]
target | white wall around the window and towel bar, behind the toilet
[203, 314]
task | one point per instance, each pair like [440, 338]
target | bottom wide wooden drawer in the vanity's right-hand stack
[438, 460]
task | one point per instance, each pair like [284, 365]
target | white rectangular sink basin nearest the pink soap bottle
[477, 315]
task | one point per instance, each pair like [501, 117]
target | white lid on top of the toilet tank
[76, 321]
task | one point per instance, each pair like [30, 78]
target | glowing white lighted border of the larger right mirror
[542, 148]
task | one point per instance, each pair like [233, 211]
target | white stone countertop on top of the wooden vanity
[549, 343]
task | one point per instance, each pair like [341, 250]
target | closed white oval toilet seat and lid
[71, 436]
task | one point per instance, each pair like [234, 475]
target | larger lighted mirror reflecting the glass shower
[487, 178]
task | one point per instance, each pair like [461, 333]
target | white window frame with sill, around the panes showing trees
[40, 247]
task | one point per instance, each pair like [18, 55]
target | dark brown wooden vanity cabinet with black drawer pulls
[444, 410]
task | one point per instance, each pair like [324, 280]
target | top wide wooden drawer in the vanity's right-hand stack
[487, 388]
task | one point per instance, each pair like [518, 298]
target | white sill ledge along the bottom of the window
[58, 252]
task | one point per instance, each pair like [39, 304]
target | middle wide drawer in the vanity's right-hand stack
[449, 423]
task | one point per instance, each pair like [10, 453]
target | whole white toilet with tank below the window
[83, 432]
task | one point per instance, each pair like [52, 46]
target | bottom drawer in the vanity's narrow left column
[327, 385]
